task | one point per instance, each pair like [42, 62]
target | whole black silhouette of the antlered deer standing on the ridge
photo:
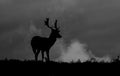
[43, 44]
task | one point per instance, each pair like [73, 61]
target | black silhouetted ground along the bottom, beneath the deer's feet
[58, 69]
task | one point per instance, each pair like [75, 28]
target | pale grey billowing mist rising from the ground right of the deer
[78, 52]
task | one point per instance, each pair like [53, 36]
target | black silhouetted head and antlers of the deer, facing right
[55, 30]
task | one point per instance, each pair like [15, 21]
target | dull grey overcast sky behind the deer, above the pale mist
[91, 22]
